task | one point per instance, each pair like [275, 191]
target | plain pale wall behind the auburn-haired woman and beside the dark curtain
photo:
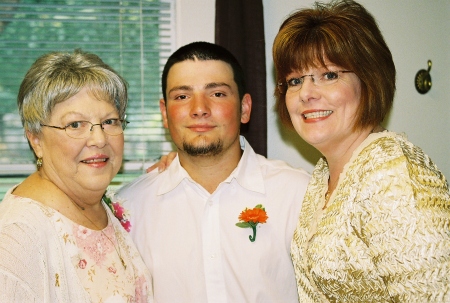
[415, 31]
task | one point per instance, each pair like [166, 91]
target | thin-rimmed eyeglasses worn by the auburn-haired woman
[294, 84]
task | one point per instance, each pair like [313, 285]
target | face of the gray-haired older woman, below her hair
[79, 166]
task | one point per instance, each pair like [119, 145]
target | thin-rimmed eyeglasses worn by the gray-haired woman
[82, 129]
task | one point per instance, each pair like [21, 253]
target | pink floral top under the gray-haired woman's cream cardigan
[97, 260]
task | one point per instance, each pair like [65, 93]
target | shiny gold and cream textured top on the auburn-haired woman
[385, 234]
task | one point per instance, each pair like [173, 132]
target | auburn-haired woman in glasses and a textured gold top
[374, 224]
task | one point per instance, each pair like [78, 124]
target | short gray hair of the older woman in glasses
[57, 76]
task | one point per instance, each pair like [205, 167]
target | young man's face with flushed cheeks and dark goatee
[203, 111]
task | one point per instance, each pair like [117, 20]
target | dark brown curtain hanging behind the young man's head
[240, 29]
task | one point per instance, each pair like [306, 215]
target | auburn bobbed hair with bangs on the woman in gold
[346, 34]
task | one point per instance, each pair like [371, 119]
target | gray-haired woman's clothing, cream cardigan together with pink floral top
[71, 262]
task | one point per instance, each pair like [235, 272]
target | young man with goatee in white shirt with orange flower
[184, 219]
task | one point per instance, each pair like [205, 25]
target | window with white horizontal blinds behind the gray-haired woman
[134, 37]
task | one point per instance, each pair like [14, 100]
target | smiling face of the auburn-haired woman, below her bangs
[324, 116]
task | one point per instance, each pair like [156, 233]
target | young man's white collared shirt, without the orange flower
[189, 240]
